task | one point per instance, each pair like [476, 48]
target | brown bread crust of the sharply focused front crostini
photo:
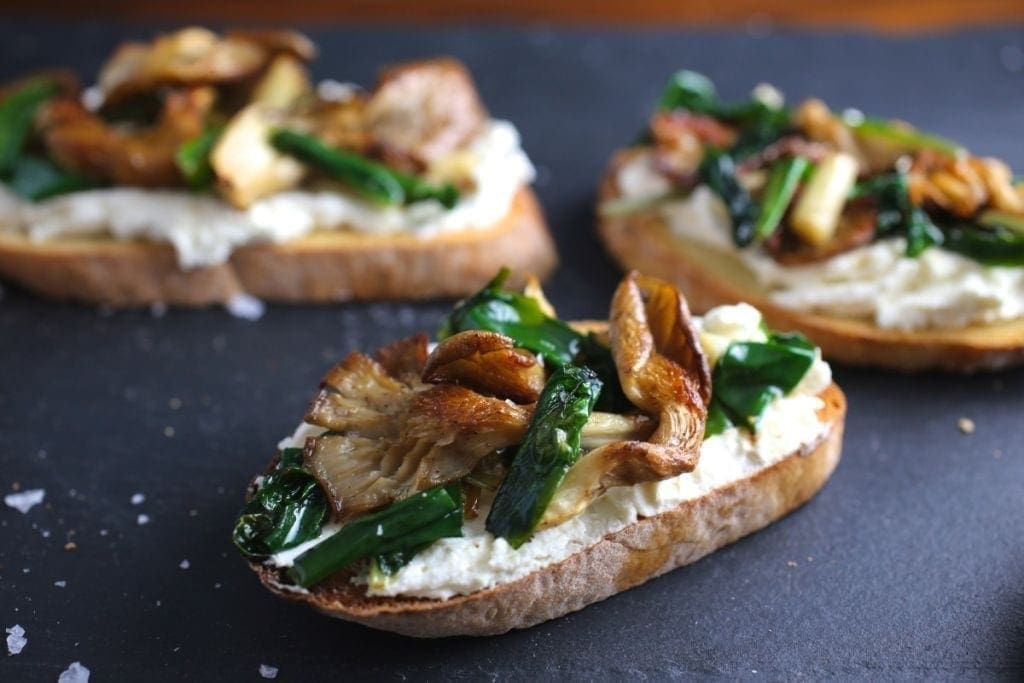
[621, 561]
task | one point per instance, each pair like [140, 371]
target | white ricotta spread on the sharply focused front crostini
[479, 561]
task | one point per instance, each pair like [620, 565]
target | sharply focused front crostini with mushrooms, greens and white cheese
[523, 467]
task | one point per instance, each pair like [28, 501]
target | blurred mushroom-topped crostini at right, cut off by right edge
[885, 245]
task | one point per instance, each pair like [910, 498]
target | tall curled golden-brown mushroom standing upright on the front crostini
[664, 372]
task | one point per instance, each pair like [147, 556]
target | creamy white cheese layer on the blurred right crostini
[937, 290]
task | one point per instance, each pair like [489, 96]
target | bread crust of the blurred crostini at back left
[322, 268]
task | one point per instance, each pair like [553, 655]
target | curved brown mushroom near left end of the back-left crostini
[84, 143]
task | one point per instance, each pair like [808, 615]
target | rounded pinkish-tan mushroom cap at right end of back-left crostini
[424, 110]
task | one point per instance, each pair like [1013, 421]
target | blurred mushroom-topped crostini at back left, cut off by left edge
[205, 166]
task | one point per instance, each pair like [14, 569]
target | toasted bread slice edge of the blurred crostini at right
[710, 277]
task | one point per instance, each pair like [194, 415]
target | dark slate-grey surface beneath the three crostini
[910, 564]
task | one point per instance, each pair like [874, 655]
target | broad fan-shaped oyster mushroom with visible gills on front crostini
[393, 437]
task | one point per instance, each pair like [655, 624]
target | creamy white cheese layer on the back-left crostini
[205, 230]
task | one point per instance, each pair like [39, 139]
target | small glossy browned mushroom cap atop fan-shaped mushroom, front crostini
[487, 363]
